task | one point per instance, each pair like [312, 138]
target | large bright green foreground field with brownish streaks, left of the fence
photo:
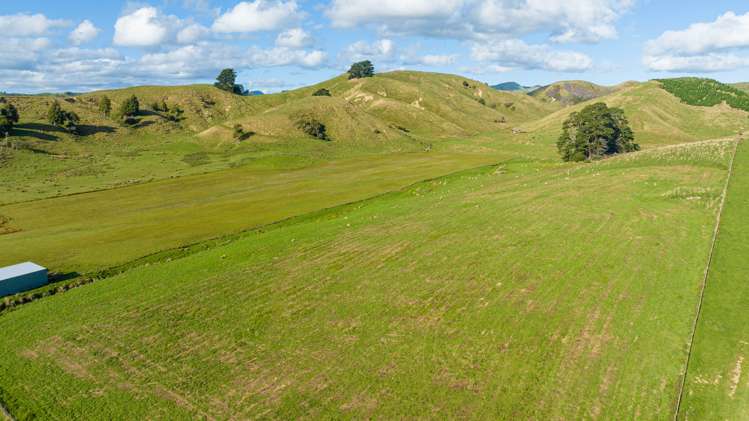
[520, 291]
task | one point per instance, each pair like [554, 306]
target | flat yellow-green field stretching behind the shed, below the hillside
[93, 231]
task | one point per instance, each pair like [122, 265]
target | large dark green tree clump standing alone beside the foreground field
[594, 132]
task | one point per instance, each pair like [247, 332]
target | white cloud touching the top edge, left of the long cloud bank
[258, 15]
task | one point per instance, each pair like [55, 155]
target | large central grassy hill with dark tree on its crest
[400, 107]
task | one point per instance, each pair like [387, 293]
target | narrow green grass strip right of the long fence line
[717, 384]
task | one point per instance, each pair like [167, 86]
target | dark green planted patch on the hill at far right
[706, 92]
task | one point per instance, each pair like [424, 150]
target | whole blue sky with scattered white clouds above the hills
[275, 45]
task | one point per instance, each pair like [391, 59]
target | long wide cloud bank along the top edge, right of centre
[562, 20]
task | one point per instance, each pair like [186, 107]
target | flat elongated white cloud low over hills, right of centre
[517, 54]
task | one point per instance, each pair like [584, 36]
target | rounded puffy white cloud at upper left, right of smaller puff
[145, 27]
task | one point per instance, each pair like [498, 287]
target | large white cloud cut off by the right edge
[702, 47]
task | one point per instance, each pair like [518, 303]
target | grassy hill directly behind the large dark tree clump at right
[656, 116]
